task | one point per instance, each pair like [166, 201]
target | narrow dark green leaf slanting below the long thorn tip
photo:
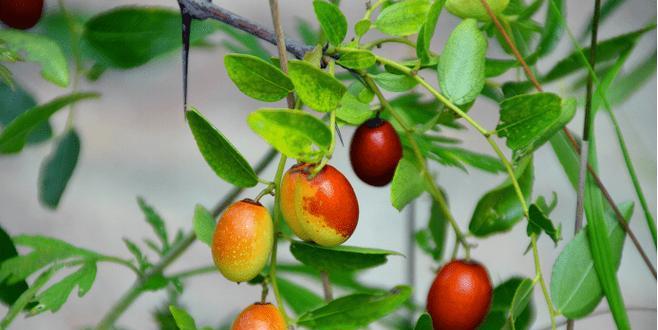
[219, 153]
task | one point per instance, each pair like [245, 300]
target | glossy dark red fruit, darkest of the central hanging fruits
[375, 152]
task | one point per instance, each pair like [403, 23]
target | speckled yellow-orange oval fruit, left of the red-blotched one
[243, 240]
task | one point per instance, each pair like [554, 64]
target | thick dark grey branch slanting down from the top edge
[203, 9]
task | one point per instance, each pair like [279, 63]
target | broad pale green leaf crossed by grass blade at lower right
[575, 286]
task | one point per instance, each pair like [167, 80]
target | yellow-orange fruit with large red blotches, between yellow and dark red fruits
[322, 209]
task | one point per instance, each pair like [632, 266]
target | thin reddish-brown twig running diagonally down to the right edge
[620, 218]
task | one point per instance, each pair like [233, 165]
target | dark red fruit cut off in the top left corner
[20, 14]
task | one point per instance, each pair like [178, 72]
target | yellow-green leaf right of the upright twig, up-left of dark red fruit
[316, 88]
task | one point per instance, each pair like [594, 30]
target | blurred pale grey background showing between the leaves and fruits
[136, 143]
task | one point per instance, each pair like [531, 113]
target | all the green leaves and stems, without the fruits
[340, 81]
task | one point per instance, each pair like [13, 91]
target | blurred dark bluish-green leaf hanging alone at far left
[57, 169]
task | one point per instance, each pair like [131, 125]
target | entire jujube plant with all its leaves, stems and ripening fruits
[405, 133]
